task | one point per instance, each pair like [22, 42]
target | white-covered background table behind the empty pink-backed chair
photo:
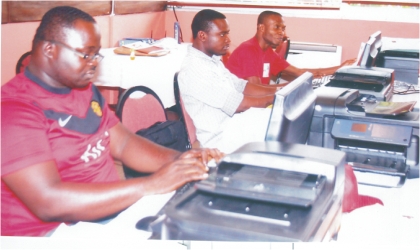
[156, 73]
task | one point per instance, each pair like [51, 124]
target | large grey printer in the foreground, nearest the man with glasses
[264, 191]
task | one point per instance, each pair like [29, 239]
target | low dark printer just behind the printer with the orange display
[375, 81]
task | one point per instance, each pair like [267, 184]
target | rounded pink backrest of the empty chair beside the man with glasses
[139, 107]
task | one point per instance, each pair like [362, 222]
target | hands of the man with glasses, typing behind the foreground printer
[190, 166]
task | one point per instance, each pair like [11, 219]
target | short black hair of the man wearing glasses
[54, 20]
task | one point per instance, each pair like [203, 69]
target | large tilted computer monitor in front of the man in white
[292, 111]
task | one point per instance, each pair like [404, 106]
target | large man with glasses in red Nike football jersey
[59, 138]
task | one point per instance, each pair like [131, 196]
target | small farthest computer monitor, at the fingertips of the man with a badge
[370, 50]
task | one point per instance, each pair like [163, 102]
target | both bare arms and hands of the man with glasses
[51, 199]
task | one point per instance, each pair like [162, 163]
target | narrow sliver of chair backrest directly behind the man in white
[184, 116]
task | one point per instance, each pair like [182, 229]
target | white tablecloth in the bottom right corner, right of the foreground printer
[396, 225]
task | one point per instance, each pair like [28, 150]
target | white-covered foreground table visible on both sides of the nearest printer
[394, 224]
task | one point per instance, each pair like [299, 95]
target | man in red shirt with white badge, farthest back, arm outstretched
[255, 60]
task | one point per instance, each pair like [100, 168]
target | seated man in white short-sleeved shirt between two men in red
[213, 96]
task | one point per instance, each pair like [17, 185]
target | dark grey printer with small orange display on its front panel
[383, 149]
